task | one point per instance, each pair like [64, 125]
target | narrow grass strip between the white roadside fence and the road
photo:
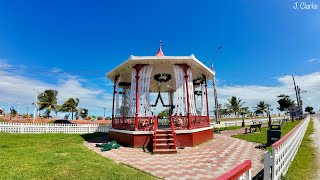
[304, 164]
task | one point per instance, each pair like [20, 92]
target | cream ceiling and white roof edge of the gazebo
[161, 64]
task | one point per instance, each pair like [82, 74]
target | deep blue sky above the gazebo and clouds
[56, 43]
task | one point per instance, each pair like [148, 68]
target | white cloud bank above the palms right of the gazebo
[253, 94]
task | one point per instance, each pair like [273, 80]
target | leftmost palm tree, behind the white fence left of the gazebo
[48, 101]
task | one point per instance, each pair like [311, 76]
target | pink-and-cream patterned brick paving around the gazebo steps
[206, 161]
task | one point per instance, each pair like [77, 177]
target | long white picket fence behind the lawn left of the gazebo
[52, 128]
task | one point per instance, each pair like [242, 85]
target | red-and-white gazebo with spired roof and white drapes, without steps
[182, 78]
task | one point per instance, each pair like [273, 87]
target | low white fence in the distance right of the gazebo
[249, 122]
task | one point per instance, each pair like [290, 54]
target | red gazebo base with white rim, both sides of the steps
[185, 138]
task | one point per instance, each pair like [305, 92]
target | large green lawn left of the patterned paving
[57, 156]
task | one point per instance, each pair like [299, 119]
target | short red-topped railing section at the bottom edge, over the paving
[241, 172]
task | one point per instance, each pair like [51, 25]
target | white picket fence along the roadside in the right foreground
[284, 151]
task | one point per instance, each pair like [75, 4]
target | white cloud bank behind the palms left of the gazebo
[16, 89]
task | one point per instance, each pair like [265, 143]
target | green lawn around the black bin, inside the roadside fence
[262, 137]
